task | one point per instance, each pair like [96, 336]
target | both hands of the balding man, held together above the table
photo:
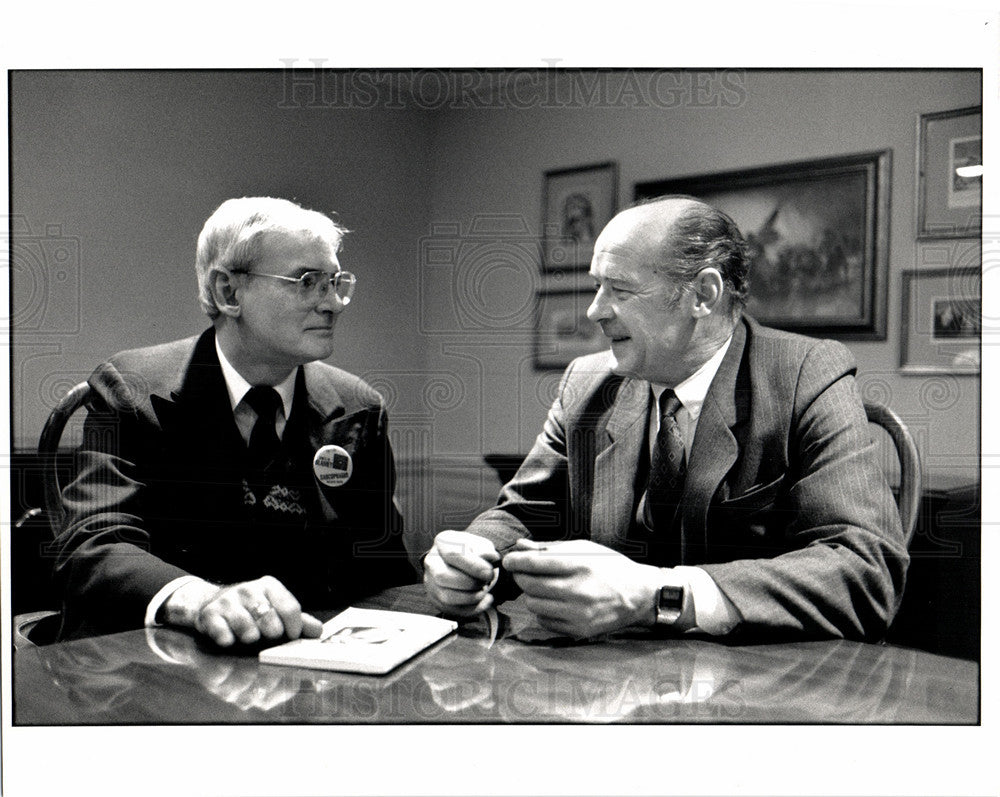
[577, 588]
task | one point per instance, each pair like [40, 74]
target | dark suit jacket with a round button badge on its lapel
[159, 488]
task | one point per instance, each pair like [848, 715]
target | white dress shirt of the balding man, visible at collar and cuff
[713, 612]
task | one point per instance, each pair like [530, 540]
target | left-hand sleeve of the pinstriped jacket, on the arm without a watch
[535, 503]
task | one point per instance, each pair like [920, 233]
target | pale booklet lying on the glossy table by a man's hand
[371, 641]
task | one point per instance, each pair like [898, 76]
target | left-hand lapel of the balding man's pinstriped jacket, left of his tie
[617, 463]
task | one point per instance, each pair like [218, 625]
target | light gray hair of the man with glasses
[232, 235]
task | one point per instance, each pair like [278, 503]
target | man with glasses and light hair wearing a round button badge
[228, 480]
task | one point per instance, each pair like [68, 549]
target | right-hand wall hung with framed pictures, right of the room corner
[491, 161]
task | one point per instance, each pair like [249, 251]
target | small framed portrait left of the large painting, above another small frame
[576, 204]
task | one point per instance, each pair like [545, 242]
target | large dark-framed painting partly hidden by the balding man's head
[818, 235]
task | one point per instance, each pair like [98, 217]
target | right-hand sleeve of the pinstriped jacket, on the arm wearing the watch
[843, 572]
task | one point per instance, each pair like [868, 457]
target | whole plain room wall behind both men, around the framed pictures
[119, 170]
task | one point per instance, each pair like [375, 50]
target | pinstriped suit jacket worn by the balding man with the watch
[784, 505]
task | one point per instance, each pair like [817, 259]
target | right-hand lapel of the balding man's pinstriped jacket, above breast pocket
[715, 448]
